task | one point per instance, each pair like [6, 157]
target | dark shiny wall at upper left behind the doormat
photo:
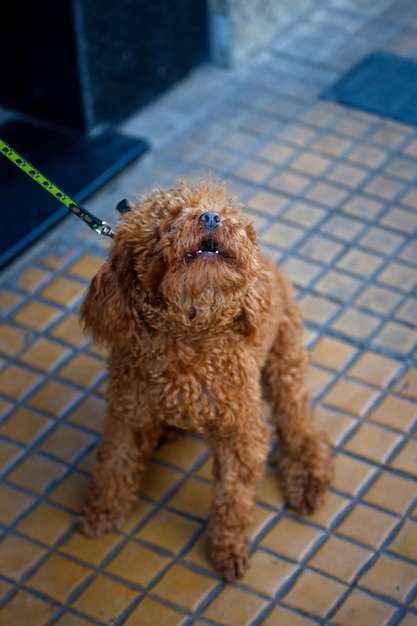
[80, 63]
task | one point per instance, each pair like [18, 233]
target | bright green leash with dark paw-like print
[99, 226]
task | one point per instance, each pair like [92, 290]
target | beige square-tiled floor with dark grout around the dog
[332, 194]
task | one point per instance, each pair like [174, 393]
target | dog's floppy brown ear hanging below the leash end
[107, 311]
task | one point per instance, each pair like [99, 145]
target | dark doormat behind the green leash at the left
[79, 165]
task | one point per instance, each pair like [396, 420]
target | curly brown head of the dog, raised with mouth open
[183, 256]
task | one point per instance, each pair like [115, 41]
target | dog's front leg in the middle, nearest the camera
[238, 460]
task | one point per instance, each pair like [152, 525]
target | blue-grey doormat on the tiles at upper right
[384, 84]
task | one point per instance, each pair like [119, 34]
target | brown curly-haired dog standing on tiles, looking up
[200, 327]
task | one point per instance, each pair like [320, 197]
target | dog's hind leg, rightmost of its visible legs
[304, 453]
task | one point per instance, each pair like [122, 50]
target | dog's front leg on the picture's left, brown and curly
[121, 460]
